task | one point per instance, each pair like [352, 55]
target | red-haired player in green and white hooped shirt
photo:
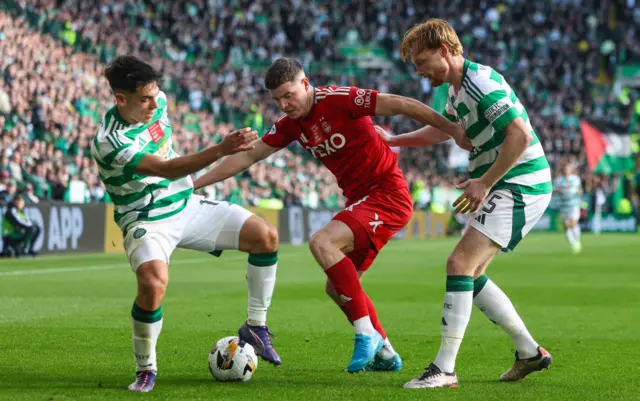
[507, 193]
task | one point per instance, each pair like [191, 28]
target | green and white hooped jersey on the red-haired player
[484, 106]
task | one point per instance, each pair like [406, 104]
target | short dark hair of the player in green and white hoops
[128, 73]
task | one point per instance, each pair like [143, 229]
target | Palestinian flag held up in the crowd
[608, 147]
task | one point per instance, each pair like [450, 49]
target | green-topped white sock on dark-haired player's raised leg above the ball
[261, 279]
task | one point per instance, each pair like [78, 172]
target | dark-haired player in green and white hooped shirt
[157, 211]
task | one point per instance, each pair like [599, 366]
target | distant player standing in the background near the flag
[568, 188]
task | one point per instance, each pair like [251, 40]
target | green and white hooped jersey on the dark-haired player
[118, 148]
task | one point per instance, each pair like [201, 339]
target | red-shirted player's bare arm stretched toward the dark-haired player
[232, 165]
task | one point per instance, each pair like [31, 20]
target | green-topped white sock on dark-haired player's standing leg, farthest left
[145, 337]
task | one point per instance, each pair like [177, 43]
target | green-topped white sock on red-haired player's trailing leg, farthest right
[498, 308]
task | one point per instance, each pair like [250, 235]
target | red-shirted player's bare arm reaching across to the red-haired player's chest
[392, 105]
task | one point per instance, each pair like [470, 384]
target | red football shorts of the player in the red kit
[374, 220]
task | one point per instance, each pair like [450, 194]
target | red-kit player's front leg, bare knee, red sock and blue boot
[327, 246]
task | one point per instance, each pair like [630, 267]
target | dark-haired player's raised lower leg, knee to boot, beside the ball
[260, 240]
